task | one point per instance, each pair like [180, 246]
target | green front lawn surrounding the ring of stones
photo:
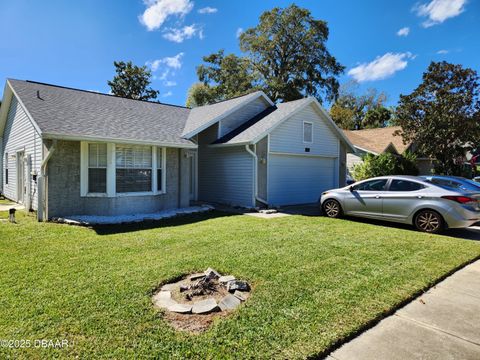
[315, 281]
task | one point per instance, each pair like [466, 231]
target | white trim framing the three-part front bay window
[111, 173]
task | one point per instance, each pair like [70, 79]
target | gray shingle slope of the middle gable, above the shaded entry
[203, 116]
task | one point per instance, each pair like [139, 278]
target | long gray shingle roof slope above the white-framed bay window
[60, 111]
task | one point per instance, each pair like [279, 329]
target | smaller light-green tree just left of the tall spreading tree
[225, 77]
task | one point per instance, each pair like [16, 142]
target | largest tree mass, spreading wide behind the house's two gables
[285, 56]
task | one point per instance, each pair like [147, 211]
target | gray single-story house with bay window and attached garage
[67, 151]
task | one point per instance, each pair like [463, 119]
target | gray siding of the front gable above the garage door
[288, 136]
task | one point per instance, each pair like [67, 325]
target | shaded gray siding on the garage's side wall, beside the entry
[225, 175]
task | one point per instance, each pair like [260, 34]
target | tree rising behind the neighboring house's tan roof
[350, 110]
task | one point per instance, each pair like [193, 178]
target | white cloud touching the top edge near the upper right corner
[437, 11]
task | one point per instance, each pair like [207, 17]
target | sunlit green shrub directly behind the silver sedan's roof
[385, 164]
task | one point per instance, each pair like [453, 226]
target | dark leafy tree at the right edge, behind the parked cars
[442, 115]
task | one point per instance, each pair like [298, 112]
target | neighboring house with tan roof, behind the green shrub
[382, 140]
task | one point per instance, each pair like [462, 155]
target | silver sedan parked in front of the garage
[404, 199]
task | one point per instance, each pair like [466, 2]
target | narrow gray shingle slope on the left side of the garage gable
[268, 122]
